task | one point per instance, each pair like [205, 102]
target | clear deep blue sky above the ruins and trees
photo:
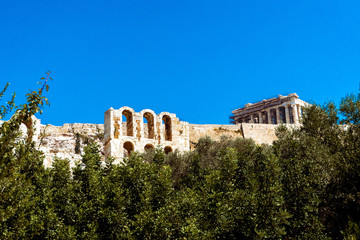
[197, 59]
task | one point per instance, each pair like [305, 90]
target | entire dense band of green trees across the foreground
[304, 186]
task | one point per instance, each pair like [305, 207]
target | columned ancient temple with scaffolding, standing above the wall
[282, 109]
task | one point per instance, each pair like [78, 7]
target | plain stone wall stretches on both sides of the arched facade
[60, 141]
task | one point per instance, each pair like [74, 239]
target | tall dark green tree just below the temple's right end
[306, 160]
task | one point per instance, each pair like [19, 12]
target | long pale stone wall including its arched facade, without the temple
[141, 131]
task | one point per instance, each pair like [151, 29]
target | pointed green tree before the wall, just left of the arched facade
[96, 200]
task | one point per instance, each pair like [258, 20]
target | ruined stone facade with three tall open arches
[126, 130]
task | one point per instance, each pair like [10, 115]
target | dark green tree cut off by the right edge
[343, 193]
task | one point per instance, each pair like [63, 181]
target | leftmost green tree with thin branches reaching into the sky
[21, 170]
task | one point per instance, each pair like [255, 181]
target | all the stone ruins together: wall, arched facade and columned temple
[125, 130]
